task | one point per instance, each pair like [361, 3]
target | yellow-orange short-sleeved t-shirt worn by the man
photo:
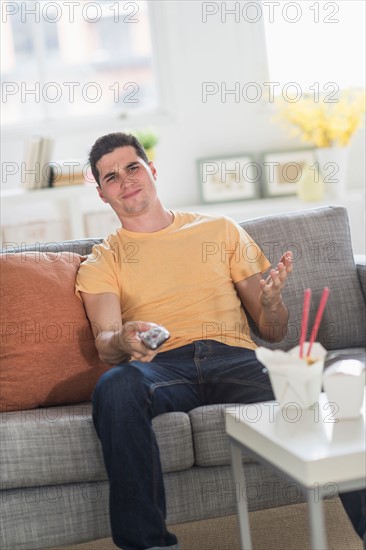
[180, 277]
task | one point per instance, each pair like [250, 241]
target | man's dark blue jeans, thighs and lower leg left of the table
[125, 400]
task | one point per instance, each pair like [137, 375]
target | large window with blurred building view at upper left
[72, 59]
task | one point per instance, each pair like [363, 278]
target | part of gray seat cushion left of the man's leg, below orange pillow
[49, 446]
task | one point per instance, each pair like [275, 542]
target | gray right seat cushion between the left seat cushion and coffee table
[211, 444]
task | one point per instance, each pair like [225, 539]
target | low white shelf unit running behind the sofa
[74, 212]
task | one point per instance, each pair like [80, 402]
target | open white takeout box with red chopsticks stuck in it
[295, 383]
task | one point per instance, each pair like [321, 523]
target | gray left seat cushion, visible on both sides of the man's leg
[57, 445]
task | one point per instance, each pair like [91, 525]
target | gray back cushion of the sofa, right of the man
[321, 243]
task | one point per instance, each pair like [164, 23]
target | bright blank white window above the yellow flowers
[319, 46]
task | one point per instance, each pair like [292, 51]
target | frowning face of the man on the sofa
[127, 183]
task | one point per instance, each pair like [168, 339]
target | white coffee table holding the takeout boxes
[309, 447]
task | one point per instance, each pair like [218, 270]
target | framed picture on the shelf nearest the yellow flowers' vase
[282, 171]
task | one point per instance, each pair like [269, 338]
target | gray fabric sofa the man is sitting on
[54, 488]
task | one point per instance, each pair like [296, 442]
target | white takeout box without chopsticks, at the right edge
[344, 384]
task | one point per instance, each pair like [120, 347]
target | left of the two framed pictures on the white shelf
[228, 178]
